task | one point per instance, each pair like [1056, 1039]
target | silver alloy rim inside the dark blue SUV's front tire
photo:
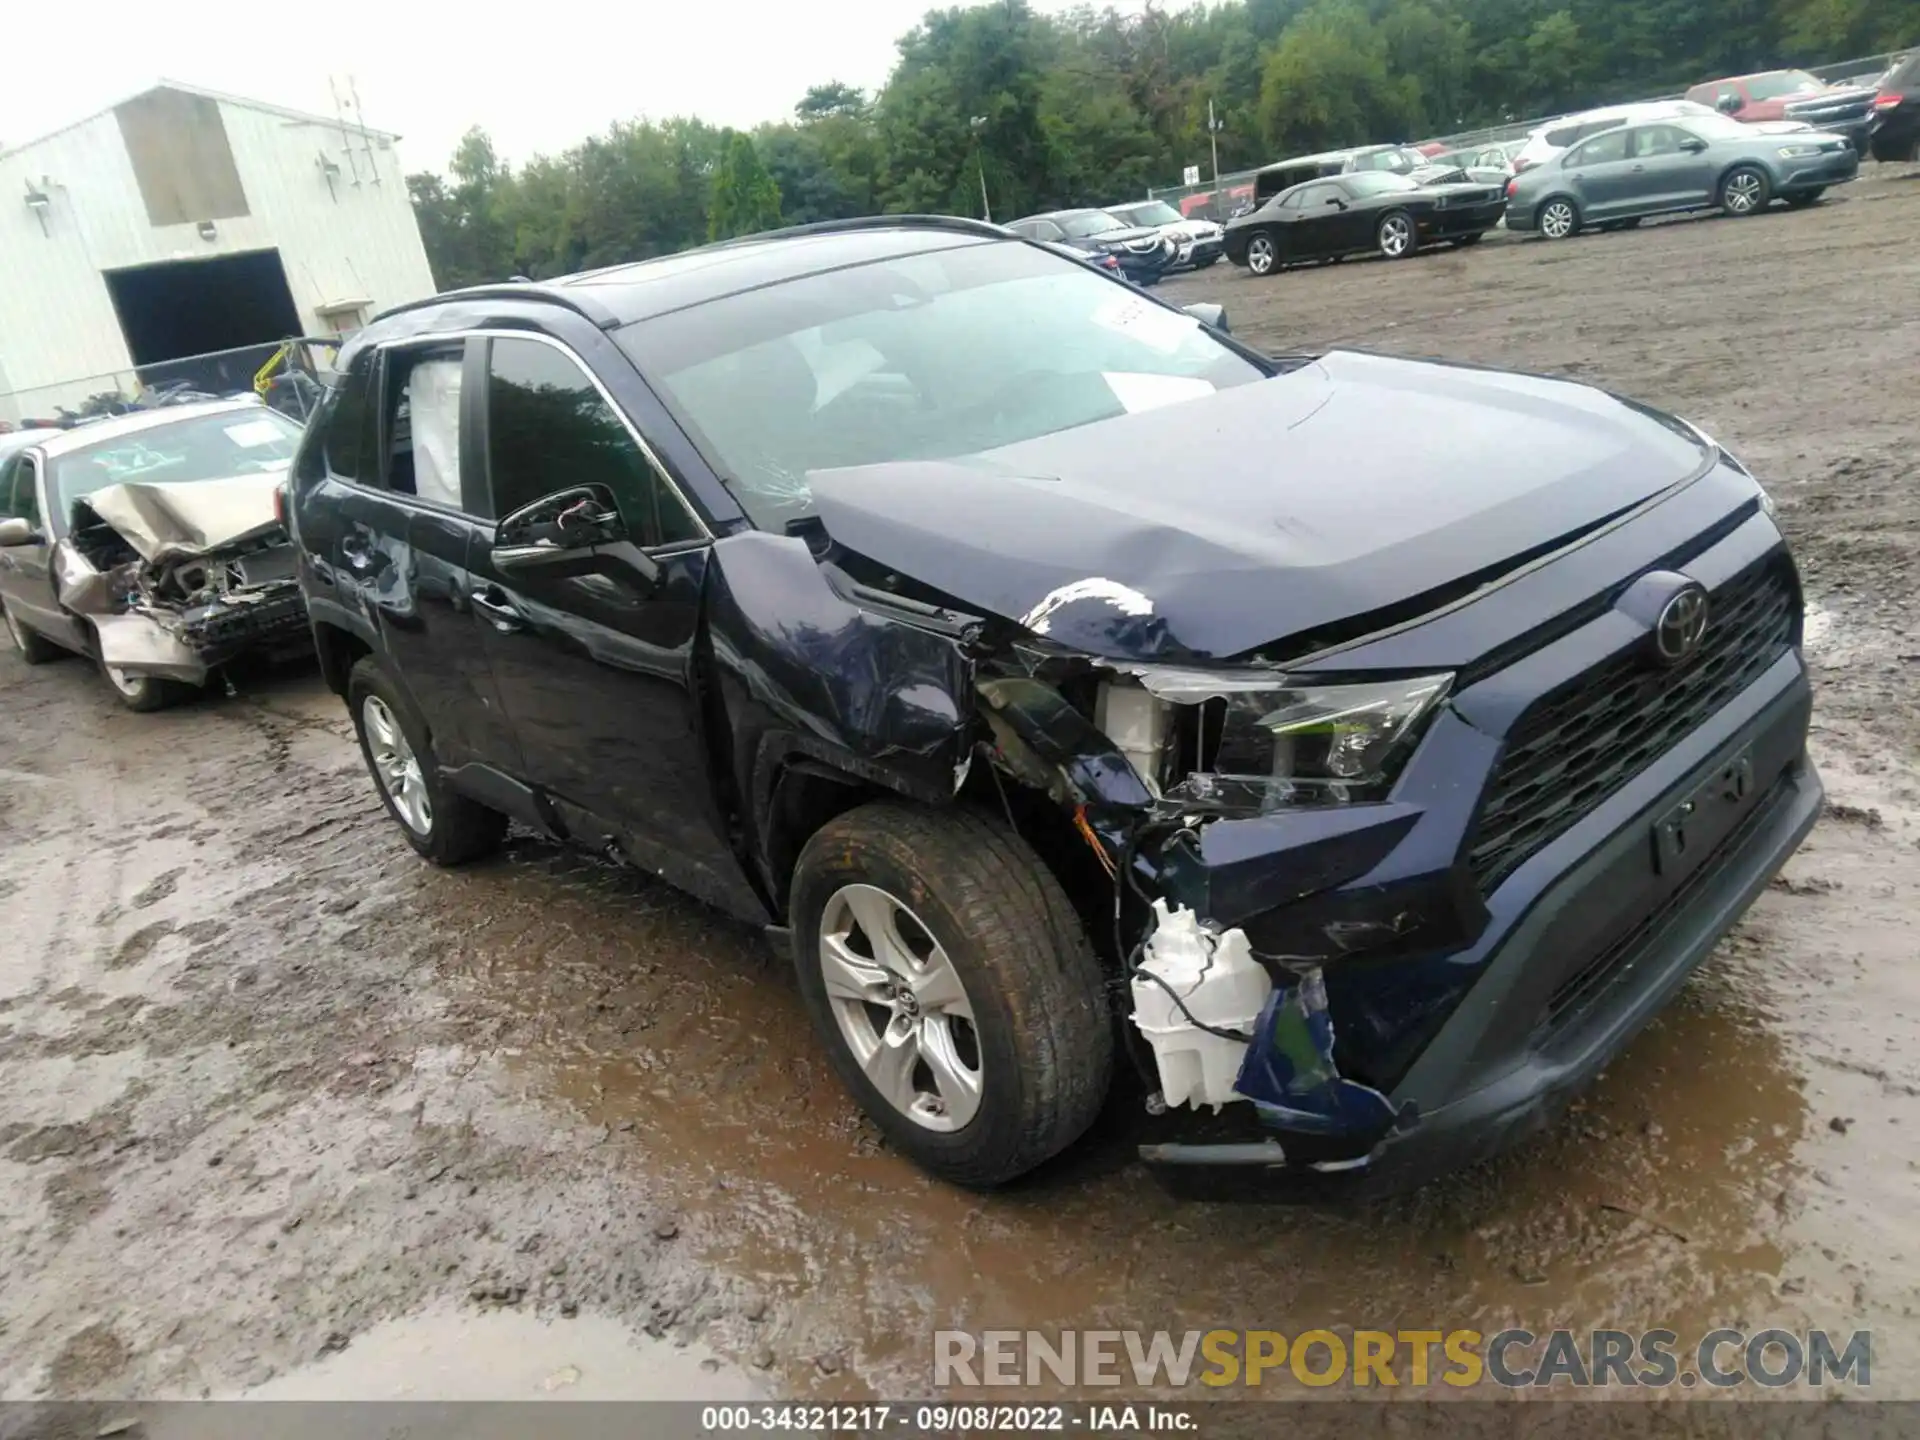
[901, 1007]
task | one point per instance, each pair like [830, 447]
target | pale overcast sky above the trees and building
[431, 72]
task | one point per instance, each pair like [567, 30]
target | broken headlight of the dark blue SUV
[1251, 744]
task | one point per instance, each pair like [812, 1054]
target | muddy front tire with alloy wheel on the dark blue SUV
[953, 988]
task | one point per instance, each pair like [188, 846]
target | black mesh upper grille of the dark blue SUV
[1581, 744]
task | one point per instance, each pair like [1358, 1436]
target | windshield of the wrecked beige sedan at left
[195, 448]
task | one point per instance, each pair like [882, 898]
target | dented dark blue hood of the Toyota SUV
[1222, 525]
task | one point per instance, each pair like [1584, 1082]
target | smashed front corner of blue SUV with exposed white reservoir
[1230, 809]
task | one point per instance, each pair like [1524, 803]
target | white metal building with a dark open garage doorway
[187, 222]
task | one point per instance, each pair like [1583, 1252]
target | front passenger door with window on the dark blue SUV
[596, 658]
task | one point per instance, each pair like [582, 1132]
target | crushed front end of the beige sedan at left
[181, 579]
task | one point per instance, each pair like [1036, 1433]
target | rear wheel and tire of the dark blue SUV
[439, 823]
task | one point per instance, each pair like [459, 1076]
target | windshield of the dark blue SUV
[923, 358]
